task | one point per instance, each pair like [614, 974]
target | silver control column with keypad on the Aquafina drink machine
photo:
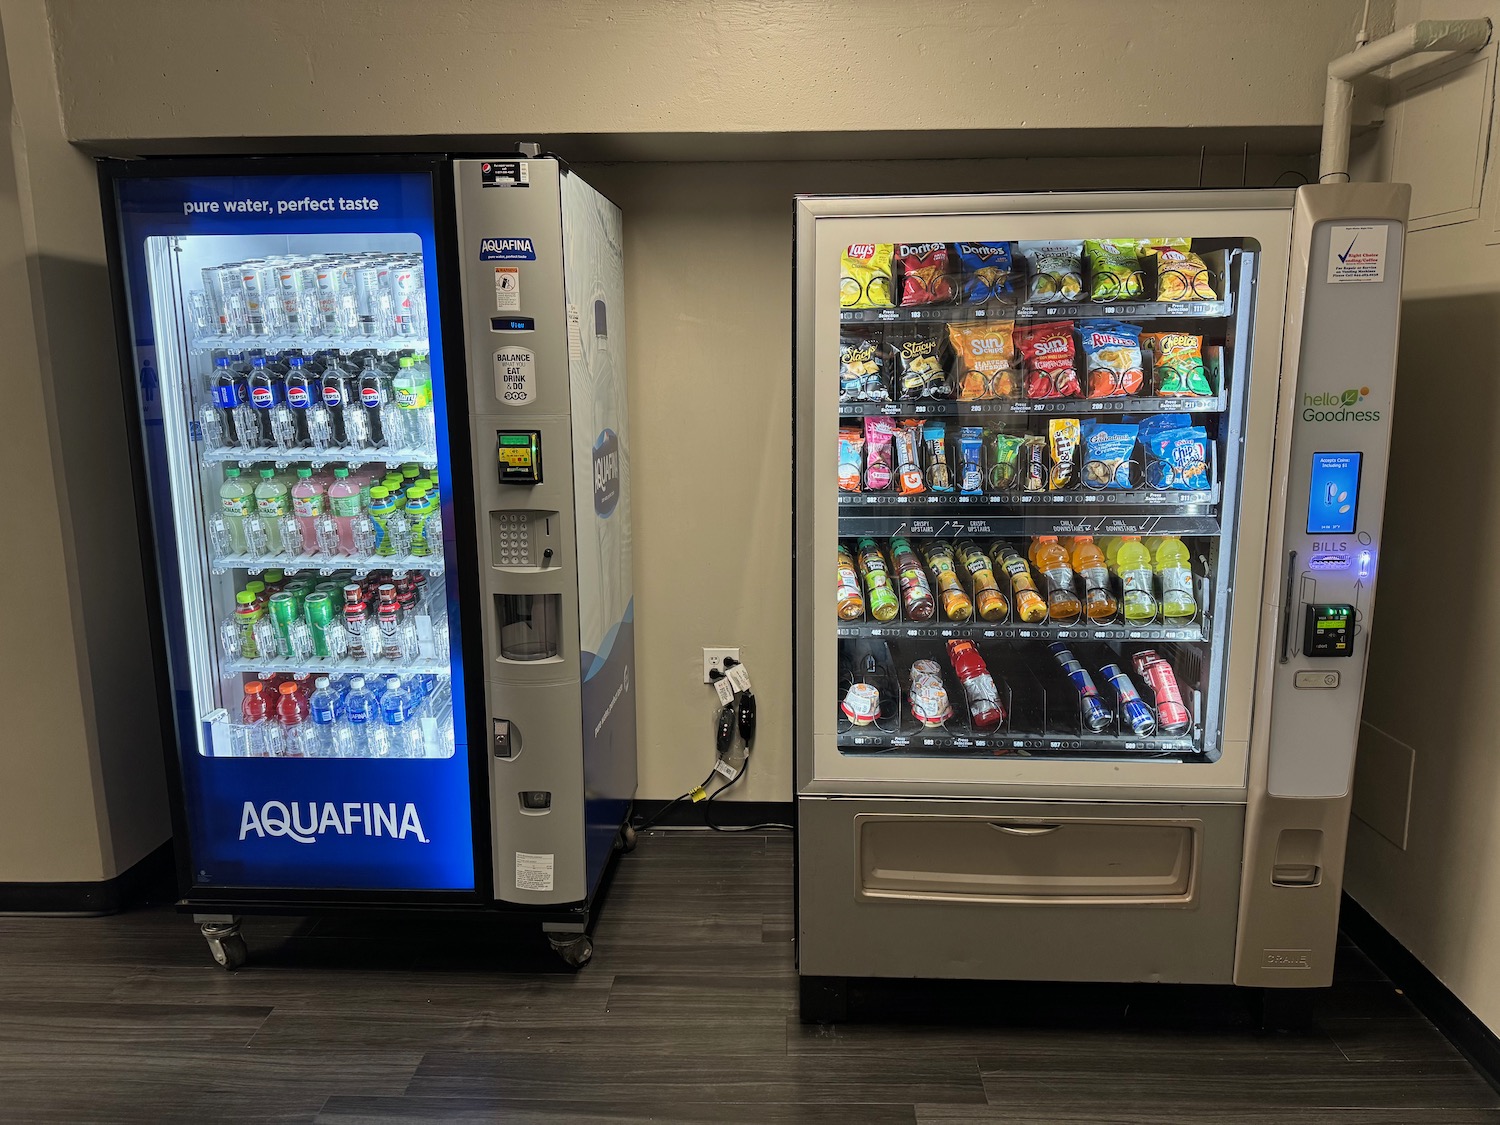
[511, 262]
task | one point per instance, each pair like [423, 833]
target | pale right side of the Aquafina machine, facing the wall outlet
[595, 277]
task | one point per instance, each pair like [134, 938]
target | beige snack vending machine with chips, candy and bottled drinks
[1088, 511]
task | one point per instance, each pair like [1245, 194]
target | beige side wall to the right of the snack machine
[1429, 770]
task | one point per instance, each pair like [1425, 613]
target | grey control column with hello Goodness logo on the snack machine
[1333, 443]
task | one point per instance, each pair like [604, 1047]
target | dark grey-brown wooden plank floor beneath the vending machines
[688, 1015]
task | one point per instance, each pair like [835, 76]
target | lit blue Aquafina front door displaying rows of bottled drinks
[296, 811]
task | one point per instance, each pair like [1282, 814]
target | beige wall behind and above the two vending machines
[712, 395]
